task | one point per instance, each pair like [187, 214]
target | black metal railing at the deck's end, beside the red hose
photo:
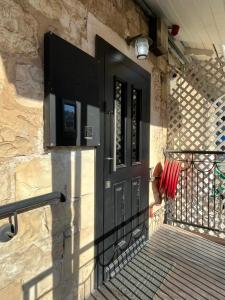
[200, 199]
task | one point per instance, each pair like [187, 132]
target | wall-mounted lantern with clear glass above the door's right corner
[141, 44]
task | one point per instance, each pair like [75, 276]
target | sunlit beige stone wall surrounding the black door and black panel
[50, 258]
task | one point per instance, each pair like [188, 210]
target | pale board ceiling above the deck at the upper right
[202, 22]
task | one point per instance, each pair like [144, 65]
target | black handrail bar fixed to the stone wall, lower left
[9, 210]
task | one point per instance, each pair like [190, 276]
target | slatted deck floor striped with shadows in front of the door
[174, 264]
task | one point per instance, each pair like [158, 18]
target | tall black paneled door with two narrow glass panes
[123, 158]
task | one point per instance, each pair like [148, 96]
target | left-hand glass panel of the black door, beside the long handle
[119, 102]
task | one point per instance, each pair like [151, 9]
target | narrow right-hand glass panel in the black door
[135, 126]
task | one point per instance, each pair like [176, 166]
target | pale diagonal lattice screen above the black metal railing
[197, 107]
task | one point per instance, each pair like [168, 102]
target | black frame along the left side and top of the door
[101, 48]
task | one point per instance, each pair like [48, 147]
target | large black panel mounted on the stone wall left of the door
[71, 95]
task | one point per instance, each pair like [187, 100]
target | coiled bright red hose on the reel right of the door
[169, 179]
